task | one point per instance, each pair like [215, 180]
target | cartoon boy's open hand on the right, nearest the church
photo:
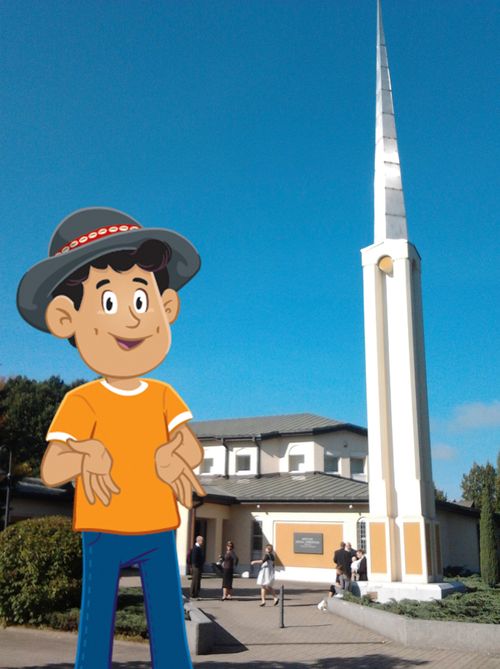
[173, 469]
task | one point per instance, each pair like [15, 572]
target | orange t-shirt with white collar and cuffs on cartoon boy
[131, 425]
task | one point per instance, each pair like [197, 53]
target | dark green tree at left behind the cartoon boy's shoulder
[26, 411]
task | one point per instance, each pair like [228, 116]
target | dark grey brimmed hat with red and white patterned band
[85, 235]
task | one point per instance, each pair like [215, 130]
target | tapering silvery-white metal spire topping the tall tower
[390, 215]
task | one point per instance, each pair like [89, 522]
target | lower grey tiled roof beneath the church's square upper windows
[307, 487]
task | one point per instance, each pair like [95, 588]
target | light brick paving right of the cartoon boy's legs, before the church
[250, 636]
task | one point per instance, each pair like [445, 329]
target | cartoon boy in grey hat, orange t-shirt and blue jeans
[110, 287]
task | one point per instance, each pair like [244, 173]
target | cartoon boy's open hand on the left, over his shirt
[96, 470]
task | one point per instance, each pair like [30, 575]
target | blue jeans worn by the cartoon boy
[103, 556]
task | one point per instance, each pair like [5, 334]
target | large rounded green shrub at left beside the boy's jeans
[40, 569]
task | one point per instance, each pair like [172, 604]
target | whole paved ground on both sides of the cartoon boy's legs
[250, 637]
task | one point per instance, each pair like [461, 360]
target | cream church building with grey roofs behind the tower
[298, 482]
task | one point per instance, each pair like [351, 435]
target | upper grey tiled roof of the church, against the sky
[269, 426]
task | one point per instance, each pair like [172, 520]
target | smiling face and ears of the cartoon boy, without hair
[122, 328]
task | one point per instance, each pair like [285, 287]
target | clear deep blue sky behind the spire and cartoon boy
[249, 128]
